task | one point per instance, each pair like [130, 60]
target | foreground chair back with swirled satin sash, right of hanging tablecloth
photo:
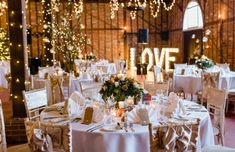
[169, 137]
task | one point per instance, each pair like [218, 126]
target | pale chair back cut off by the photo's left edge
[3, 144]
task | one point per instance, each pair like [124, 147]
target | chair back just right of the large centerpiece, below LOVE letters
[152, 87]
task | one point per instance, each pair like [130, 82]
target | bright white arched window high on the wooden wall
[193, 17]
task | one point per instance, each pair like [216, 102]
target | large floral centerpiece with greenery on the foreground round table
[119, 88]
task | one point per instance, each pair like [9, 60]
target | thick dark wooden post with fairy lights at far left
[18, 51]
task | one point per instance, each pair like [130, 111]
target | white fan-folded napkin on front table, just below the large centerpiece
[138, 114]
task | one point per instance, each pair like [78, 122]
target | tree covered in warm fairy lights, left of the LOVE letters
[68, 39]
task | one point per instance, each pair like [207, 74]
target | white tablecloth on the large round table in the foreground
[121, 141]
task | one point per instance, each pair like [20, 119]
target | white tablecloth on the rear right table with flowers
[192, 84]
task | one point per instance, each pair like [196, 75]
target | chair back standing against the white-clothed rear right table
[209, 80]
